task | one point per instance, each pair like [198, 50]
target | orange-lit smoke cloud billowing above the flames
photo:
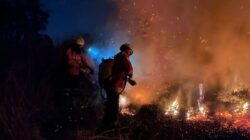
[187, 42]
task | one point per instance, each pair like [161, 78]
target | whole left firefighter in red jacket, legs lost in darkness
[69, 100]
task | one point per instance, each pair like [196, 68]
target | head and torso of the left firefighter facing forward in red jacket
[77, 63]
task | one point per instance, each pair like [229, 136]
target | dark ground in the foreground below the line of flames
[150, 123]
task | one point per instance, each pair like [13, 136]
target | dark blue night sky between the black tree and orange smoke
[70, 17]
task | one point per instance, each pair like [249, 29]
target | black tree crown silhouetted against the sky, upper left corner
[21, 21]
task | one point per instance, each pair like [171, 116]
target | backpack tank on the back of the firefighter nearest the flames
[105, 71]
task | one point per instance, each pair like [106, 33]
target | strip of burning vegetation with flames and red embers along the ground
[230, 115]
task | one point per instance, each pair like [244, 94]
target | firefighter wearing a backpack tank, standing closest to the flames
[113, 76]
